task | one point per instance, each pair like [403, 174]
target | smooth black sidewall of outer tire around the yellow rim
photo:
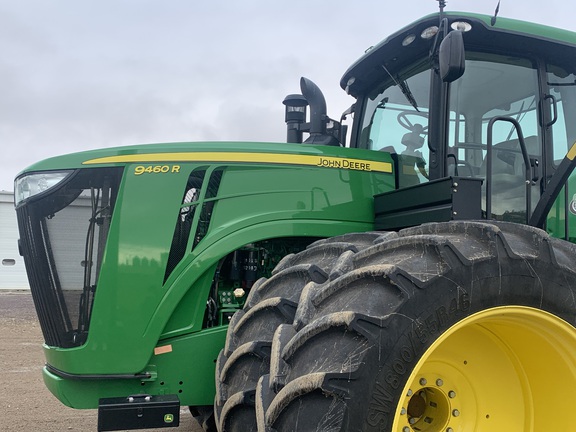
[438, 305]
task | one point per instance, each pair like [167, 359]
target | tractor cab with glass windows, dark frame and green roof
[472, 97]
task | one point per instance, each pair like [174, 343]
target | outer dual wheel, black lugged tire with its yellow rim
[449, 327]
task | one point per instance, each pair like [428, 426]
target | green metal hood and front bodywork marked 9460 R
[266, 191]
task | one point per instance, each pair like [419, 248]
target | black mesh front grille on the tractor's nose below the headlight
[63, 234]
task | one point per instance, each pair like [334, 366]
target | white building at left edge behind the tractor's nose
[12, 271]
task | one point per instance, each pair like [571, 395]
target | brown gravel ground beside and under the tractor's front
[25, 404]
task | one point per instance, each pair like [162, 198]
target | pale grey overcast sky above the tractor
[83, 74]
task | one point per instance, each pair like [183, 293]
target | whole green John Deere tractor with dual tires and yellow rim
[420, 277]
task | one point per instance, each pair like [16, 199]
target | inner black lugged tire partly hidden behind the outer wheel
[270, 303]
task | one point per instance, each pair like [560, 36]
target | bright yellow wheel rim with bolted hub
[503, 369]
